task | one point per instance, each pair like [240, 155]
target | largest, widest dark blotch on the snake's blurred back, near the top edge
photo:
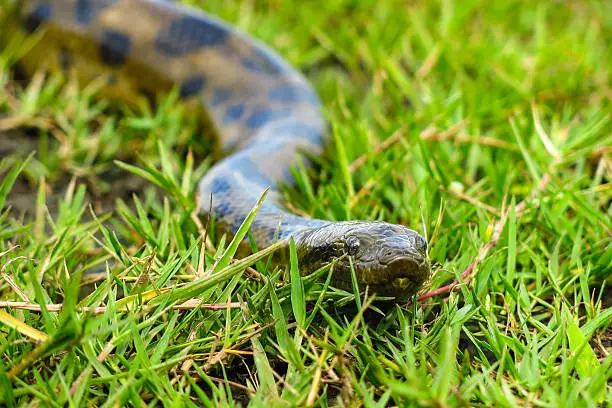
[188, 34]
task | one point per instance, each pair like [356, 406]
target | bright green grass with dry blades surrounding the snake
[445, 116]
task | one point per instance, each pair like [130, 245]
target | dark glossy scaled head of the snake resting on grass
[390, 259]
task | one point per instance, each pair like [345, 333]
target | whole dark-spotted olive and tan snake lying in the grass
[263, 112]
